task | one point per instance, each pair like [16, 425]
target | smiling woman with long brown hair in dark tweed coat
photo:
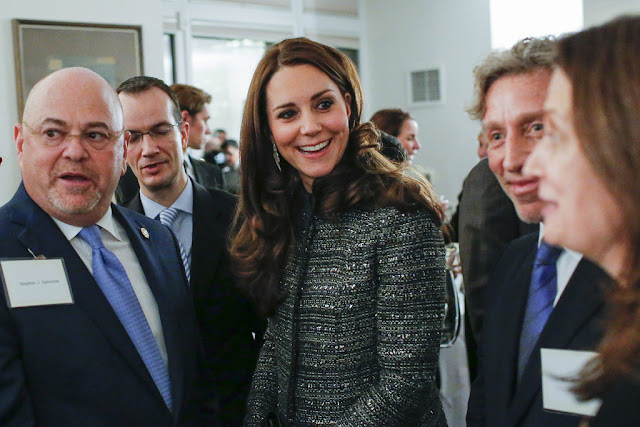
[340, 248]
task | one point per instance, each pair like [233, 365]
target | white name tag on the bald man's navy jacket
[29, 282]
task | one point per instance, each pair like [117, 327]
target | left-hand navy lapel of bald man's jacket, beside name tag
[43, 237]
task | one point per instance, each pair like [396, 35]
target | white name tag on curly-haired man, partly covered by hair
[557, 367]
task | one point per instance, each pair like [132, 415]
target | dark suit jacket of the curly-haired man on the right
[575, 323]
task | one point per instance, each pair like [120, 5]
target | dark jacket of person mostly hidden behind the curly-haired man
[487, 222]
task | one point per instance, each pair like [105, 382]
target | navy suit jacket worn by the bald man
[75, 364]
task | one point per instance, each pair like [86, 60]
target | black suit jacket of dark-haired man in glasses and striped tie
[226, 319]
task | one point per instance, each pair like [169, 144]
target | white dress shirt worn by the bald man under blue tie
[114, 237]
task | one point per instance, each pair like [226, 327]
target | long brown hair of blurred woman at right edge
[603, 66]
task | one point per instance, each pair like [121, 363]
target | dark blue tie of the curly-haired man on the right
[542, 293]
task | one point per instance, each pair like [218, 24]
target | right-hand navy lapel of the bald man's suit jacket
[145, 250]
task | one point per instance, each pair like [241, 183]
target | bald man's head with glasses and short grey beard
[70, 145]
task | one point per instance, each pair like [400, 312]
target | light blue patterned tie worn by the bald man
[116, 287]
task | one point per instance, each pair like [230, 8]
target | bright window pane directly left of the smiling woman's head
[224, 68]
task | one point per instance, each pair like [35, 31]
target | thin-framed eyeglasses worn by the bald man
[54, 135]
